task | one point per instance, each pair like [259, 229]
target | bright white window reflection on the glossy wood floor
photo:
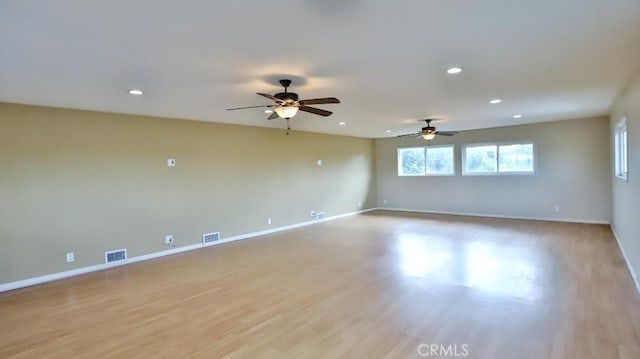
[493, 270]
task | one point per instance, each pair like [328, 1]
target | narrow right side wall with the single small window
[626, 194]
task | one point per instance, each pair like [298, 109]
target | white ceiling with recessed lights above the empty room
[386, 60]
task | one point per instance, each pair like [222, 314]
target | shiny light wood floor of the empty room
[370, 286]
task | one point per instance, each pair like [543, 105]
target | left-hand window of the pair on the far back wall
[426, 161]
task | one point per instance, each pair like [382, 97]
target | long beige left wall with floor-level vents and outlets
[89, 182]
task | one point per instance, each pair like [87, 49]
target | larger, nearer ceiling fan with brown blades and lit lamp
[287, 104]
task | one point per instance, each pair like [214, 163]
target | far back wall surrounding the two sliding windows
[573, 162]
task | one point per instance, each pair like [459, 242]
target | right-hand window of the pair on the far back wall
[498, 158]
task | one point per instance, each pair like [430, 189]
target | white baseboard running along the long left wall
[94, 268]
